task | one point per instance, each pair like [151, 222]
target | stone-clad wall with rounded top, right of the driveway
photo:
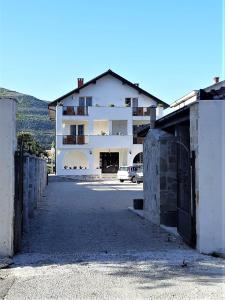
[160, 178]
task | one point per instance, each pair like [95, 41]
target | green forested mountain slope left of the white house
[32, 116]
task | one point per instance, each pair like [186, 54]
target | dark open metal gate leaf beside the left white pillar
[18, 201]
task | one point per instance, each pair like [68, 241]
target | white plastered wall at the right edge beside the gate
[208, 141]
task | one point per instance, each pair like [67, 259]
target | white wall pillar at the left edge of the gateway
[7, 149]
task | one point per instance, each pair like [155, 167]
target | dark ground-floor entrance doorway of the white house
[109, 162]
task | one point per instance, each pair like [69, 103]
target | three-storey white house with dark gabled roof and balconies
[96, 125]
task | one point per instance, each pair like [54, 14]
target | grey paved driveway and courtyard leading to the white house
[84, 243]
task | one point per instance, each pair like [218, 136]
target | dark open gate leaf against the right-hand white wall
[185, 199]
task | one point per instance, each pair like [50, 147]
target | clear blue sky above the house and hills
[169, 47]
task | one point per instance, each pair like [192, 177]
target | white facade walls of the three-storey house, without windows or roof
[116, 122]
